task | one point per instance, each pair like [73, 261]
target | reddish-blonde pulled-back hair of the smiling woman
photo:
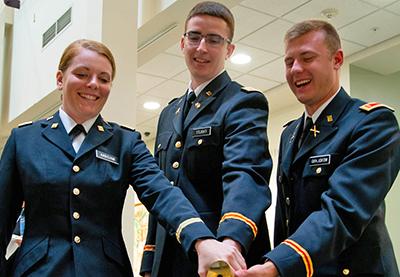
[72, 51]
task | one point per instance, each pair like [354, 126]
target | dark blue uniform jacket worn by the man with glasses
[218, 155]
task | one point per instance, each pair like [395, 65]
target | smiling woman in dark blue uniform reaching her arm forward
[74, 182]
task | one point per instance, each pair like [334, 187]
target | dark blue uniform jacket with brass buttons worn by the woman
[74, 201]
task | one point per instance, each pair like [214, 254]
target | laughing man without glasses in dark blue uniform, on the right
[337, 162]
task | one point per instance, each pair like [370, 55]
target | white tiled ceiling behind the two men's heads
[260, 27]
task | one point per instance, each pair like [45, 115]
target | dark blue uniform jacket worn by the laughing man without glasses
[330, 215]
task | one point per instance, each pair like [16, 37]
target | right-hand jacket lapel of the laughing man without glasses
[325, 124]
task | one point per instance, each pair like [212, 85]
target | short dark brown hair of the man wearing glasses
[215, 9]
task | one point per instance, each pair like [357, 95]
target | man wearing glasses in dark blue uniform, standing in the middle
[211, 142]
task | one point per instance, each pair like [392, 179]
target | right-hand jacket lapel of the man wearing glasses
[206, 97]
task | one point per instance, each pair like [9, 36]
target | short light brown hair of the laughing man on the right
[332, 39]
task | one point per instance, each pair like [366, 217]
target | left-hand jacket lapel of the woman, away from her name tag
[54, 131]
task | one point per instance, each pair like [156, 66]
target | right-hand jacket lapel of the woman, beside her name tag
[98, 134]
